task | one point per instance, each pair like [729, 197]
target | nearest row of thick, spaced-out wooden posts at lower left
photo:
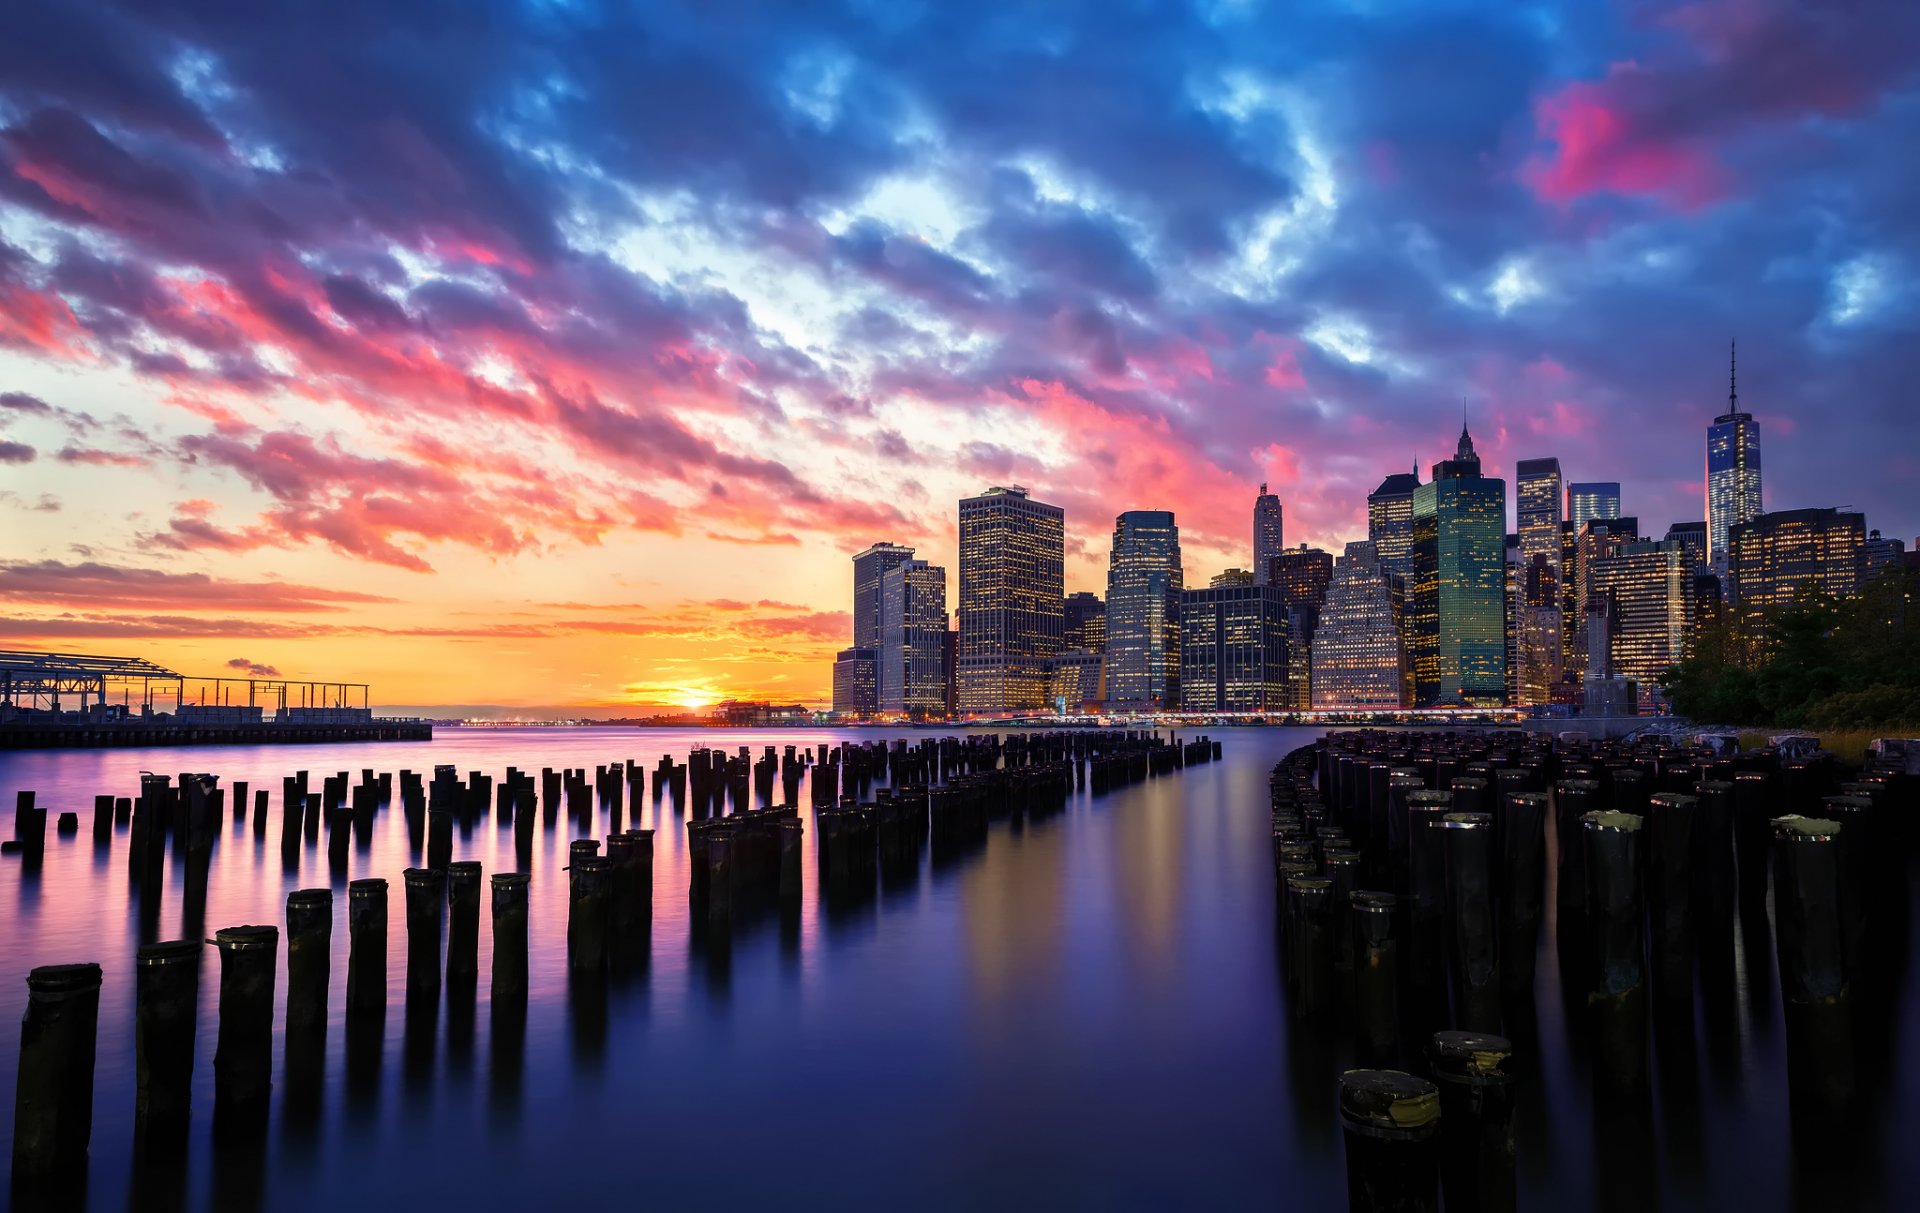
[443, 922]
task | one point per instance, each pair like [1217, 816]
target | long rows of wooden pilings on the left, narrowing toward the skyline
[942, 790]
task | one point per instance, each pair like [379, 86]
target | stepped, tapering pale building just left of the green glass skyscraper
[1358, 652]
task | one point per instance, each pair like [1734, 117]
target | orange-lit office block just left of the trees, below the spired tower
[1650, 596]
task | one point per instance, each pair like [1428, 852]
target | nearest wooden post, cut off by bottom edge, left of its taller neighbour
[1393, 1141]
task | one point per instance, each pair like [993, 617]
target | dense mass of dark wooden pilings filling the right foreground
[1414, 874]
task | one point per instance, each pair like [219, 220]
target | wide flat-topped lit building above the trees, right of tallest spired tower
[1777, 558]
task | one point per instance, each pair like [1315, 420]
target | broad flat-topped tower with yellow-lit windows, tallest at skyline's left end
[1013, 571]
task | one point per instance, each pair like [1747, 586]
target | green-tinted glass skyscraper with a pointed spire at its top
[1460, 584]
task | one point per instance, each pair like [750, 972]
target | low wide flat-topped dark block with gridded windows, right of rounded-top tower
[1236, 650]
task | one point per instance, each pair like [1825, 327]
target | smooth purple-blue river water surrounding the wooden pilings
[1086, 1014]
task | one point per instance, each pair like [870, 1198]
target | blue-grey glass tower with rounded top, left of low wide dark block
[1143, 611]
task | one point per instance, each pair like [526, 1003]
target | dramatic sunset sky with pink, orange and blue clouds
[560, 354]
